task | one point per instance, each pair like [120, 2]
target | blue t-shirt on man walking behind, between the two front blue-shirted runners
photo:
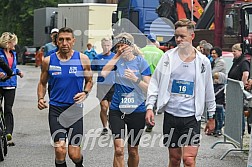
[98, 63]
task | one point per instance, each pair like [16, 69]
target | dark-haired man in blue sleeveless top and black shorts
[68, 70]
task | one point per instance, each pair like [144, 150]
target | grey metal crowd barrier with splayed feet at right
[233, 117]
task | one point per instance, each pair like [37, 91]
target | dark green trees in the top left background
[16, 16]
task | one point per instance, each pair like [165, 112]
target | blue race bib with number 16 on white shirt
[182, 87]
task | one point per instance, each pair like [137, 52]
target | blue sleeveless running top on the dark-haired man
[66, 79]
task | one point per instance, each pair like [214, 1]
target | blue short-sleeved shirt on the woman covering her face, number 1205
[128, 96]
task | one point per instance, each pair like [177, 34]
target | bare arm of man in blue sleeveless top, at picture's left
[41, 90]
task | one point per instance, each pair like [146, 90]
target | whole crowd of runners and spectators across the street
[133, 84]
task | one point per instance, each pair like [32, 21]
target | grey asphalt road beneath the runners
[32, 138]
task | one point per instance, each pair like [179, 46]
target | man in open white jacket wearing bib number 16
[182, 85]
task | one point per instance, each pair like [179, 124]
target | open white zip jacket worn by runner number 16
[204, 92]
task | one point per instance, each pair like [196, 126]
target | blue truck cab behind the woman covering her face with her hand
[140, 18]
